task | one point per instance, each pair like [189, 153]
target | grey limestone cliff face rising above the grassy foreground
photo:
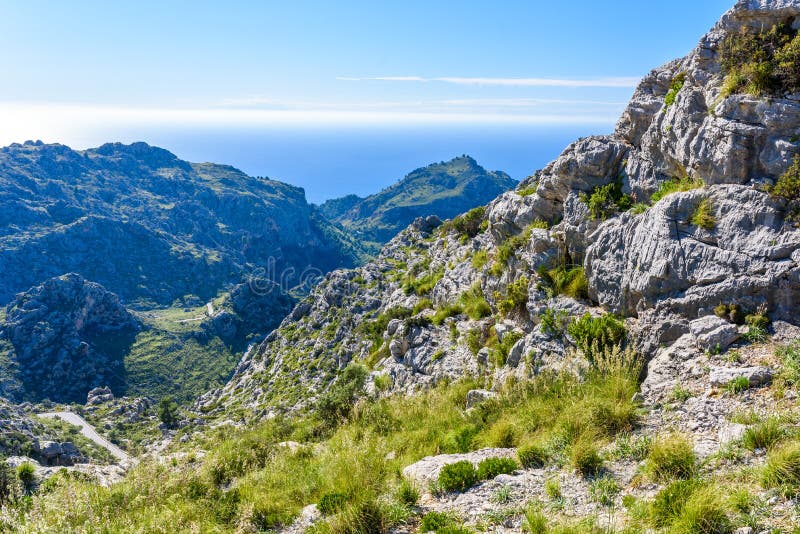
[694, 161]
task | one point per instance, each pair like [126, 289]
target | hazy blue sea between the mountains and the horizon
[331, 162]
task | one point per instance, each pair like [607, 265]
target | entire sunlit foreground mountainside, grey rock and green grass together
[612, 346]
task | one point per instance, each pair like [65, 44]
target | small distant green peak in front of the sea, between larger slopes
[443, 189]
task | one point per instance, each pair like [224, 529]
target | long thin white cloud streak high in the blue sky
[621, 82]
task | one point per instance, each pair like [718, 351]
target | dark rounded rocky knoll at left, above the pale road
[66, 337]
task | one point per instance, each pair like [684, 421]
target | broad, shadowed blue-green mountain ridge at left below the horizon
[150, 227]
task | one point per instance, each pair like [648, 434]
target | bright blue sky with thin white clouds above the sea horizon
[73, 68]
